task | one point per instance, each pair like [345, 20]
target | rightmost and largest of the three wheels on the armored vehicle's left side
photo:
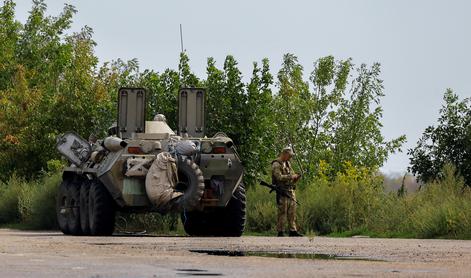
[101, 210]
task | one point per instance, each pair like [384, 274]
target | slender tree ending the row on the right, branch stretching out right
[358, 138]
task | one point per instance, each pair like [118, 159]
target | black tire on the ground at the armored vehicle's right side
[228, 221]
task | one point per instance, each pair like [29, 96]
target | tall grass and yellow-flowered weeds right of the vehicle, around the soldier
[355, 203]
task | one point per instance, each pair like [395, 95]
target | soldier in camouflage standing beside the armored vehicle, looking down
[284, 178]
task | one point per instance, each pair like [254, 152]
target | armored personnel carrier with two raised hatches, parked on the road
[144, 166]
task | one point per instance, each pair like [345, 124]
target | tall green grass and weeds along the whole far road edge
[353, 204]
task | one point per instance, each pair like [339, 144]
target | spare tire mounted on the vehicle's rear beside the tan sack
[190, 173]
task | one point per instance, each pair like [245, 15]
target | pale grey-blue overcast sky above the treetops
[424, 46]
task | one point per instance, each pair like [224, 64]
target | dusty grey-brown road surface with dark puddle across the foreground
[51, 254]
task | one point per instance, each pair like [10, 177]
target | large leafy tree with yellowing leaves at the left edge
[48, 86]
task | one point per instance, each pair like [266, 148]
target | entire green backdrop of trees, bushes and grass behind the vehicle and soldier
[51, 82]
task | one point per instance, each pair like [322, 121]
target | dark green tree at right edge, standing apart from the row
[448, 142]
